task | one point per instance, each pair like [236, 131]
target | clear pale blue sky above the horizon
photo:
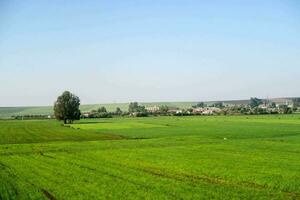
[146, 51]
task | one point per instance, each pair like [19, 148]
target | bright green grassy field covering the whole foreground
[221, 157]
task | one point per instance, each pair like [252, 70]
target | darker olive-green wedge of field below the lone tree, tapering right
[34, 131]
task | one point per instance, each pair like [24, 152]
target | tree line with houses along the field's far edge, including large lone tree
[66, 108]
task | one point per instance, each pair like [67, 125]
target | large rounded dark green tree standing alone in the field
[66, 107]
